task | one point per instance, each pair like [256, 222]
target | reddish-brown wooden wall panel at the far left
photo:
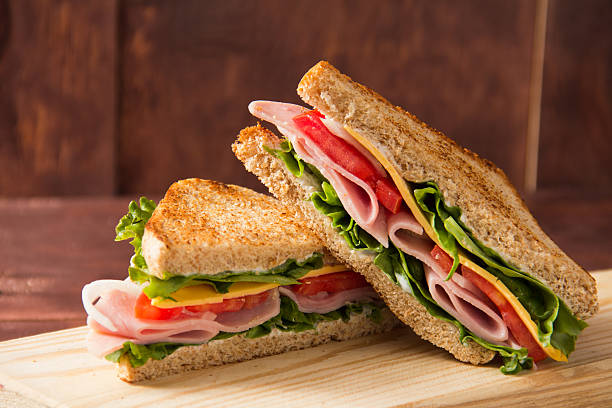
[57, 97]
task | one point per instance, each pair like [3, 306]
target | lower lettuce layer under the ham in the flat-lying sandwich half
[289, 319]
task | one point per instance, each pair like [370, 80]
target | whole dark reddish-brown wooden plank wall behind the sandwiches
[124, 97]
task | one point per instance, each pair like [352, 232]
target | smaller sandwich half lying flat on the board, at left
[222, 274]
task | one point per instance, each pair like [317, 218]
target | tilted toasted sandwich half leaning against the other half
[440, 233]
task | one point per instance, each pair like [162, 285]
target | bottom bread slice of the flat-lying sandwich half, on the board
[240, 348]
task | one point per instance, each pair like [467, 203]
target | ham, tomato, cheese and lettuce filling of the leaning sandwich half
[419, 242]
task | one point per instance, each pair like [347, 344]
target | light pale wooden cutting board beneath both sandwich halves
[393, 369]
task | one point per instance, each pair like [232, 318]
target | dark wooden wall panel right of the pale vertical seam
[576, 133]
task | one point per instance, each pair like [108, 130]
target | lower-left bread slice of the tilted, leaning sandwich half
[273, 173]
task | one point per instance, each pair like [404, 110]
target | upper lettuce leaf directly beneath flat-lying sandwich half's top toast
[132, 226]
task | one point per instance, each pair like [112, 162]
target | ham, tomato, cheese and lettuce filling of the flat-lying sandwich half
[146, 317]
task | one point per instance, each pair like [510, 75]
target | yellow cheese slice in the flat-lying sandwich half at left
[205, 294]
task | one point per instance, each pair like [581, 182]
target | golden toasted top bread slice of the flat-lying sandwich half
[207, 227]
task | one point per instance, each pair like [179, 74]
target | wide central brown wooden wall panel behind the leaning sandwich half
[189, 69]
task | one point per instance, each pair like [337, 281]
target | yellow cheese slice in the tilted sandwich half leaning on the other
[408, 197]
